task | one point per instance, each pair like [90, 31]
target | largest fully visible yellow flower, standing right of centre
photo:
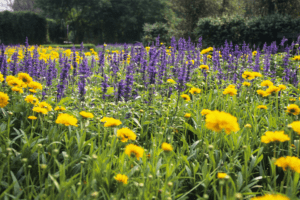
[218, 121]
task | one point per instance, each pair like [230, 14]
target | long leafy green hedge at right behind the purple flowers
[256, 30]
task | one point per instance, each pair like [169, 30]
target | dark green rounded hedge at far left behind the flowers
[16, 26]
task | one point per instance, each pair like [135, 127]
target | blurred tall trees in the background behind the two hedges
[111, 21]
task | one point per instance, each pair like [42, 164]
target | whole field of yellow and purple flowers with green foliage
[156, 122]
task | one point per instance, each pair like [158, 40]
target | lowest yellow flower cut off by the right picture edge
[291, 162]
